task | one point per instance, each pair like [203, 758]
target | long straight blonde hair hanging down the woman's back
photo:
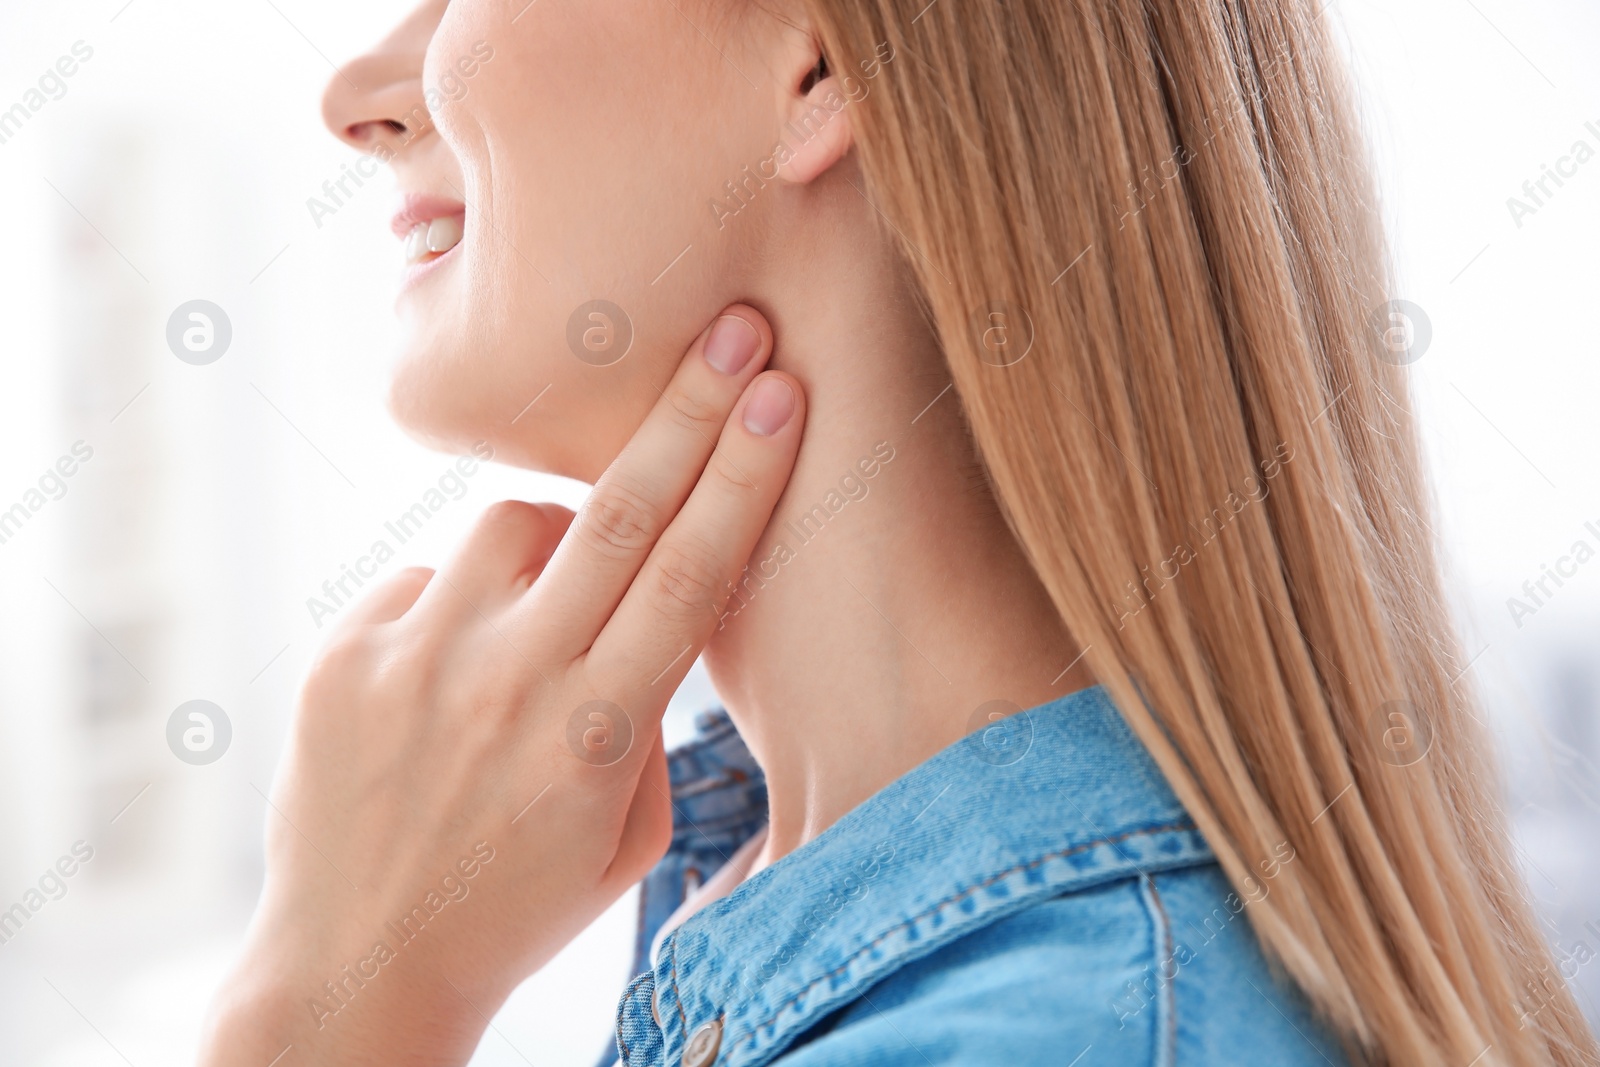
[1209, 457]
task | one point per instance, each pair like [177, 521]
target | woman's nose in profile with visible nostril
[377, 102]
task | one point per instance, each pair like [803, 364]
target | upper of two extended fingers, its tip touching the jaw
[646, 487]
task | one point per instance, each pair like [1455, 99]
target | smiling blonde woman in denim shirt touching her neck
[1095, 692]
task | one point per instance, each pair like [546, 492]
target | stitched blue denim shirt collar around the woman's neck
[1050, 801]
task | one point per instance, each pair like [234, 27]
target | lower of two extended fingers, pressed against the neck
[673, 607]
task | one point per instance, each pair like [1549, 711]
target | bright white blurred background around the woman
[164, 524]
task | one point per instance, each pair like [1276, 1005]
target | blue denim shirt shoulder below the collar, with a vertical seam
[1159, 970]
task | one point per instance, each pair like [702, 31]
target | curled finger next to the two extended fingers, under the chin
[497, 564]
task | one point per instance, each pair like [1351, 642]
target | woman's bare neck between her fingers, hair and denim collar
[887, 601]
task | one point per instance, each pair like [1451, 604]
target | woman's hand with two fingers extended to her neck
[476, 765]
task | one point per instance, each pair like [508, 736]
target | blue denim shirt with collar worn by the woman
[1033, 895]
